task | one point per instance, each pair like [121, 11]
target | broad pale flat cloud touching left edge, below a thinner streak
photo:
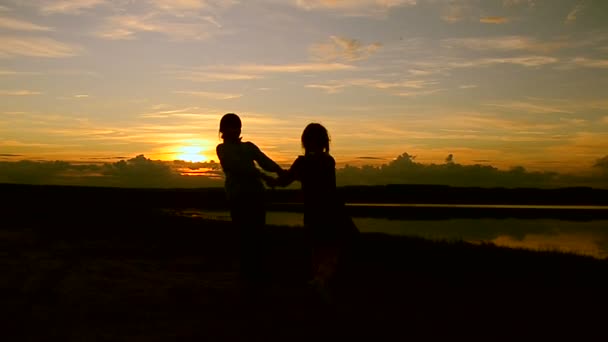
[36, 47]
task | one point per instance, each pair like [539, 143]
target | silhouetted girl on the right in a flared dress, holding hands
[325, 219]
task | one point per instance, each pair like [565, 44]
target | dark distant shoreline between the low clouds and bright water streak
[389, 194]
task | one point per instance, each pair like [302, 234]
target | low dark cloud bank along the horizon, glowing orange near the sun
[146, 173]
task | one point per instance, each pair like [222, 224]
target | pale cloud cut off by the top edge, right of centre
[354, 7]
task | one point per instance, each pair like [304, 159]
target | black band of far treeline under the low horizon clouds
[215, 197]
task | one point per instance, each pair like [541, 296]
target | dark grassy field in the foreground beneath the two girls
[145, 275]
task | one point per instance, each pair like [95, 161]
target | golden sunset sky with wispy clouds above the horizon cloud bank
[500, 82]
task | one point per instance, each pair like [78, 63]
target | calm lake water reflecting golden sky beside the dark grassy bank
[582, 237]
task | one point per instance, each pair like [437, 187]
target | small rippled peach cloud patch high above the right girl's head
[340, 48]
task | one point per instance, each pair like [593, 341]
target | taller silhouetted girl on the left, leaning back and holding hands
[245, 191]
